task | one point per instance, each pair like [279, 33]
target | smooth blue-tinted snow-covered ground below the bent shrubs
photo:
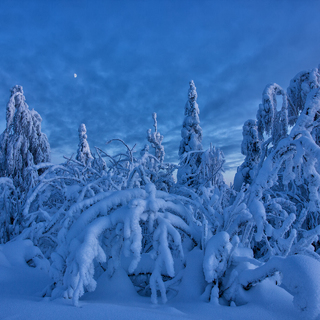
[21, 287]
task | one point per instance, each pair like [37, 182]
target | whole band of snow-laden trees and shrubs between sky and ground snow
[173, 232]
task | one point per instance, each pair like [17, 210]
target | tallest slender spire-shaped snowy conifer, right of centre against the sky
[191, 131]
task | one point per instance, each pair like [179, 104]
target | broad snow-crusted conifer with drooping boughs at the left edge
[21, 144]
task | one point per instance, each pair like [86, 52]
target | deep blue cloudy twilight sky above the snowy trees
[133, 58]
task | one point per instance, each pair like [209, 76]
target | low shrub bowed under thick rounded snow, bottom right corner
[231, 270]
